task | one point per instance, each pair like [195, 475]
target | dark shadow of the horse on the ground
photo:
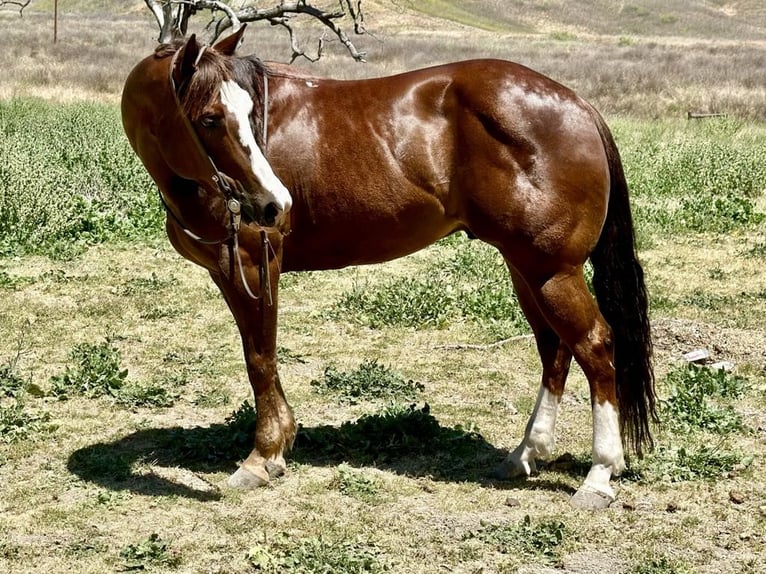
[410, 442]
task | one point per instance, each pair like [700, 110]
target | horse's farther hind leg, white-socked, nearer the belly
[539, 440]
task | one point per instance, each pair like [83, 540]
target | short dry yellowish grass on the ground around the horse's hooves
[109, 477]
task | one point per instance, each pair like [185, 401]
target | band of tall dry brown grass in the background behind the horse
[641, 71]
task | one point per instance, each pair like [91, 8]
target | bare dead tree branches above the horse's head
[173, 19]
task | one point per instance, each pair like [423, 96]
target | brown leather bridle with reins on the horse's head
[217, 181]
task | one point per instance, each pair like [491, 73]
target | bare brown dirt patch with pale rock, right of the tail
[674, 337]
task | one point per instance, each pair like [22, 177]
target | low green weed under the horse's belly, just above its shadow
[370, 380]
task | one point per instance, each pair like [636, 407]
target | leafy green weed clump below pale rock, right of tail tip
[690, 406]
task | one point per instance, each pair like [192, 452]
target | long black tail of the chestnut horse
[618, 281]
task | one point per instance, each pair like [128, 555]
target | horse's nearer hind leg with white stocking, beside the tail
[569, 308]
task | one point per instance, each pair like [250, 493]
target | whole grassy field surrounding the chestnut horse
[124, 404]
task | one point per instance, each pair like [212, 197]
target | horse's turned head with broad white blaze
[223, 117]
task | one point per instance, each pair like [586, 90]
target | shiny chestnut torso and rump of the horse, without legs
[484, 145]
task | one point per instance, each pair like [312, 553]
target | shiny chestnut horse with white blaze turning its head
[264, 169]
